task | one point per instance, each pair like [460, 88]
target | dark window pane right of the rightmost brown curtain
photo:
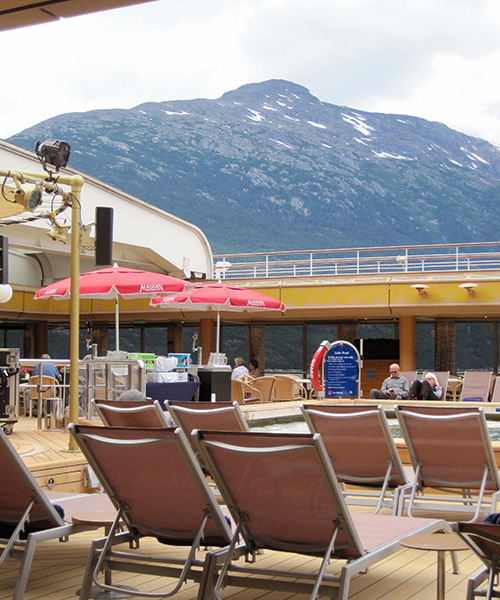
[474, 346]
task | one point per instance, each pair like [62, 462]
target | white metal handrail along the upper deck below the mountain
[349, 261]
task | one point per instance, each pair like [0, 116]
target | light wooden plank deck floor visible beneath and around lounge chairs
[58, 568]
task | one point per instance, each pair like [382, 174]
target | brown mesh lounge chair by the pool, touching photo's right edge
[451, 453]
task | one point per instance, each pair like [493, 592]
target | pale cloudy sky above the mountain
[436, 59]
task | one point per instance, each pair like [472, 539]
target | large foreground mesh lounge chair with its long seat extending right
[284, 496]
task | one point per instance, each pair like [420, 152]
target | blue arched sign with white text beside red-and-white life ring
[342, 371]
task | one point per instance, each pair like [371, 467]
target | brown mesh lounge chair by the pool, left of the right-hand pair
[363, 453]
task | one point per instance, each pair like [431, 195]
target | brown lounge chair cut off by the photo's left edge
[28, 515]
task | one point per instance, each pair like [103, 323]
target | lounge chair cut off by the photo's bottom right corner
[484, 540]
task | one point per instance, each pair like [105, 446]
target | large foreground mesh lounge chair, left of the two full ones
[158, 489]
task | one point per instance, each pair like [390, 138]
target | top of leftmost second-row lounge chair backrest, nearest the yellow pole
[117, 413]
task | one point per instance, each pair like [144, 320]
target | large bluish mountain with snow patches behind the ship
[270, 167]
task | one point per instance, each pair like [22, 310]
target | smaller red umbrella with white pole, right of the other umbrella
[219, 296]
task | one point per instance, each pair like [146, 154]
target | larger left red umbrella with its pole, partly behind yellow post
[115, 281]
